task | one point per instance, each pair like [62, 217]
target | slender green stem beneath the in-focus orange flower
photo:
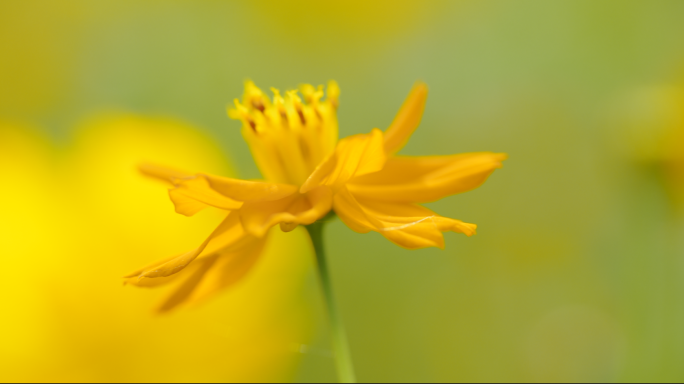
[343, 361]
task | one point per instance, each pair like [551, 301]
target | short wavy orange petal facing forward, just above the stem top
[304, 209]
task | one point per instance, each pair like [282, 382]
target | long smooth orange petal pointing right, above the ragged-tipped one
[425, 179]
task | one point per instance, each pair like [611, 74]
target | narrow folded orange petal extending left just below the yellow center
[249, 191]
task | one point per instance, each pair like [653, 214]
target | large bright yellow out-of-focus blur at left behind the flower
[77, 218]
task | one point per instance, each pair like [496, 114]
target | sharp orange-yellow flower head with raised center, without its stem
[309, 173]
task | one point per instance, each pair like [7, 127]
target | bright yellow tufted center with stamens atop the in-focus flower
[288, 136]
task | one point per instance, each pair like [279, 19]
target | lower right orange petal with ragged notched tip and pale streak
[407, 225]
